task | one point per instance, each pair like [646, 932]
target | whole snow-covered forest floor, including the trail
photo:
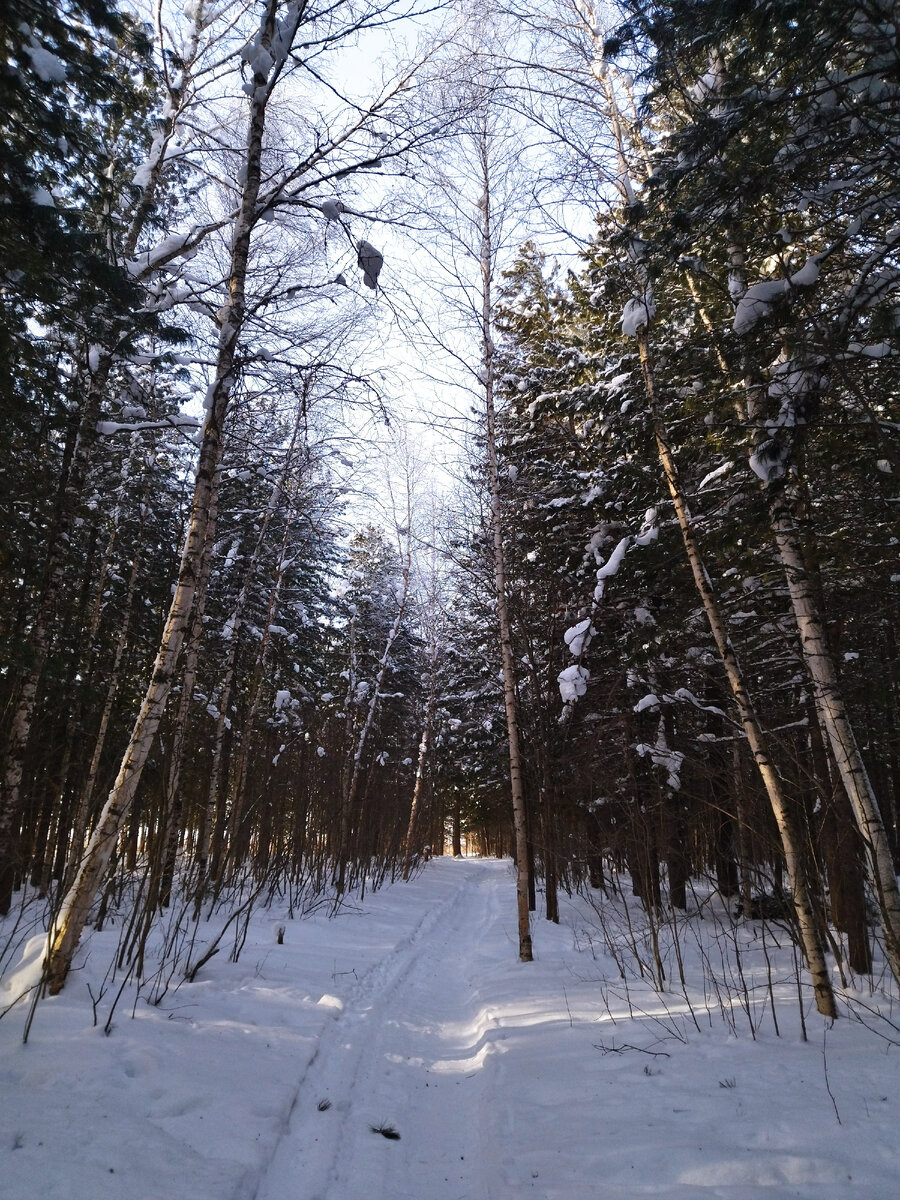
[410, 1013]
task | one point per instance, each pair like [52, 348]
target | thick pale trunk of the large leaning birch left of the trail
[76, 905]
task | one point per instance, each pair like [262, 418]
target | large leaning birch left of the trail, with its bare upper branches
[292, 183]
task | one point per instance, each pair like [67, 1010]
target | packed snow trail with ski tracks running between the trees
[407, 1052]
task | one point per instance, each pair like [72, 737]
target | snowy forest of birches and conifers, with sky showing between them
[640, 265]
